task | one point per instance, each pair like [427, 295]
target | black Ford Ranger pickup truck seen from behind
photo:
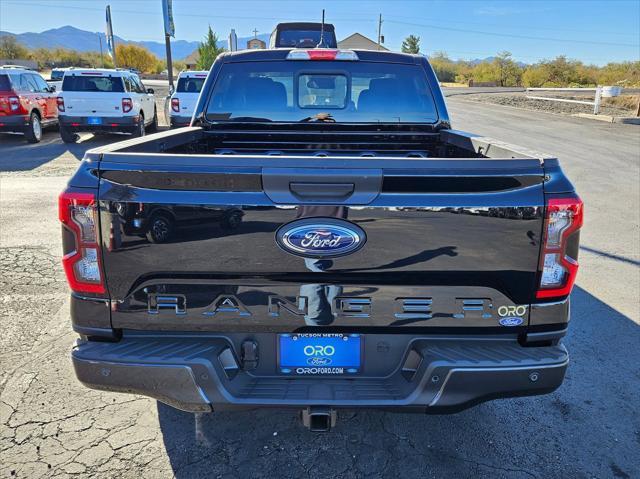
[380, 259]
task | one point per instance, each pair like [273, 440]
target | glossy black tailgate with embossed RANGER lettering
[449, 243]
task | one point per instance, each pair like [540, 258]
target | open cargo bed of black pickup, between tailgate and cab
[285, 141]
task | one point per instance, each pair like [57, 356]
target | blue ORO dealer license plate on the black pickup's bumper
[319, 354]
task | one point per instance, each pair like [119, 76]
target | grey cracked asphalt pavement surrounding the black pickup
[52, 426]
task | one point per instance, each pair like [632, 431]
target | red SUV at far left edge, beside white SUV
[27, 103]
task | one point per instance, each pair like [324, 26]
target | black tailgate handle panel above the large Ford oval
[346, 186]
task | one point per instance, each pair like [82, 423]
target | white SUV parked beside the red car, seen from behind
[104, 101]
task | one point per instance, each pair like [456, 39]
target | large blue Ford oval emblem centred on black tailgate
[320, 237]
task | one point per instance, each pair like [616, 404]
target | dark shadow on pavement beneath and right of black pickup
[588, 428]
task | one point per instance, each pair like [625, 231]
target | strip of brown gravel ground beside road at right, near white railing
[520, 100]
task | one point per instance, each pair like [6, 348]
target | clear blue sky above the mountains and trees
[591, 31]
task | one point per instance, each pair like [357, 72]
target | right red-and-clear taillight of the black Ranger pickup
[559, 255]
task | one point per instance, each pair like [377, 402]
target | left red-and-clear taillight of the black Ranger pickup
[78, 213]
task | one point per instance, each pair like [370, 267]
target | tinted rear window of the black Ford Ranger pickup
[326, 91]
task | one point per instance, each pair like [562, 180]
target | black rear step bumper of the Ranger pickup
[201, 374]
